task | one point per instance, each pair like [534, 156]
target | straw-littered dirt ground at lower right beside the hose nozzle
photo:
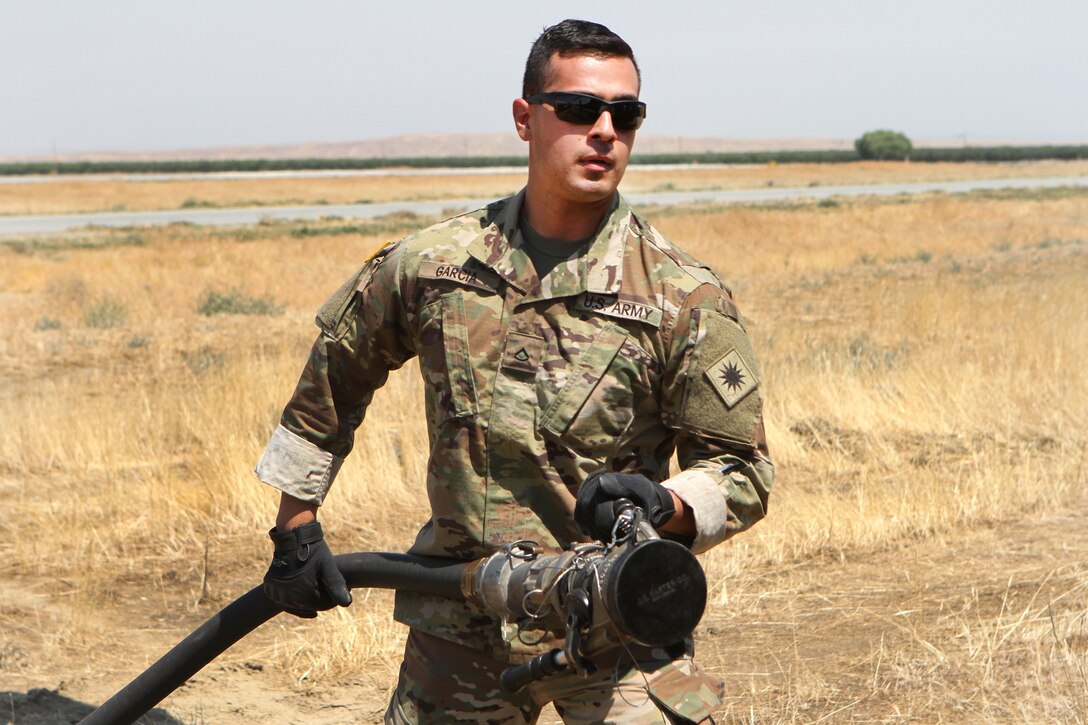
[886, 637]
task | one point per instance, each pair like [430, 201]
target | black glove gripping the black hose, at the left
[304, 579]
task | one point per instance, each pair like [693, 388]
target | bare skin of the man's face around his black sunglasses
[578, 163]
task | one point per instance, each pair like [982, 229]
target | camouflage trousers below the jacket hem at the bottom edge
[443, 682]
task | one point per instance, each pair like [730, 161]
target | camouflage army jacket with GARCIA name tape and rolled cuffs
[617, 359]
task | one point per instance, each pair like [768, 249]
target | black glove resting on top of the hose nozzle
[596, 513]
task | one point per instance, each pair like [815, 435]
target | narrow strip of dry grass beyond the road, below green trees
[71, 195]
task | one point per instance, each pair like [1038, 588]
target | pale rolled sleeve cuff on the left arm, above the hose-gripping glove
[298, 468]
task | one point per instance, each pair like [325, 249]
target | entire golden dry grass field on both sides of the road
[925, 559]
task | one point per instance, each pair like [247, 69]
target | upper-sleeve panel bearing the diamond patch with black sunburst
[723, 396]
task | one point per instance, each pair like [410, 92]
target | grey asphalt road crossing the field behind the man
[57, 224]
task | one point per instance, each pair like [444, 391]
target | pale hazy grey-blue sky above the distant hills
[137, 76]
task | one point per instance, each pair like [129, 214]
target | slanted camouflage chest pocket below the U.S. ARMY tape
[596, 405]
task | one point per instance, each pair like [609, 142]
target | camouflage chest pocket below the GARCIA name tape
[447, 361]
